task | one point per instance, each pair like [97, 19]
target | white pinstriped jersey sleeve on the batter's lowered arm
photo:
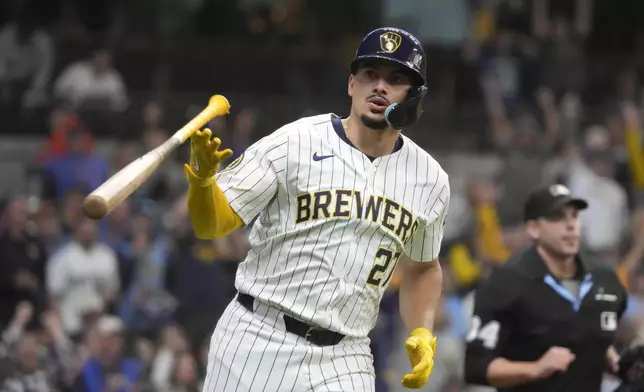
[425, 242]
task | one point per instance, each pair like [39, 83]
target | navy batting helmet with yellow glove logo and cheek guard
[400, 47]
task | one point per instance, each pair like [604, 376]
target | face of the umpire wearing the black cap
[560, 233]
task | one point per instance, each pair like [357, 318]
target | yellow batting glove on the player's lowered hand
[420, 347]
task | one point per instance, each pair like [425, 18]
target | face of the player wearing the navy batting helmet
[374, 87]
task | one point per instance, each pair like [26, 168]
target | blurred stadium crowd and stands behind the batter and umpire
[522, 93]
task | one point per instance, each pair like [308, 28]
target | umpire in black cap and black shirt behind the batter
[546, 319]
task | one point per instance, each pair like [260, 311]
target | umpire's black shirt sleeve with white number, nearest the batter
[490, 326]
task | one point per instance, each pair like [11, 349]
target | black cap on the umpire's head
[546, 201]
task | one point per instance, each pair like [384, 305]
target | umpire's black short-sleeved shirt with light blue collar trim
[522, 310]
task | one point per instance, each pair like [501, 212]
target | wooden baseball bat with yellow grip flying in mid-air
[127, 180]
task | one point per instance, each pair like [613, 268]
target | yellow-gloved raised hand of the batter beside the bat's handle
[205, 156]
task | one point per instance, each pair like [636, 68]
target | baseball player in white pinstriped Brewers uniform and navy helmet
[334, 205]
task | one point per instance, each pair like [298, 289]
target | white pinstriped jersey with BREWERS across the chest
[329, 224]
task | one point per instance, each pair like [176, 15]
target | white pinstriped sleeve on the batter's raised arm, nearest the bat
[250, 181]
